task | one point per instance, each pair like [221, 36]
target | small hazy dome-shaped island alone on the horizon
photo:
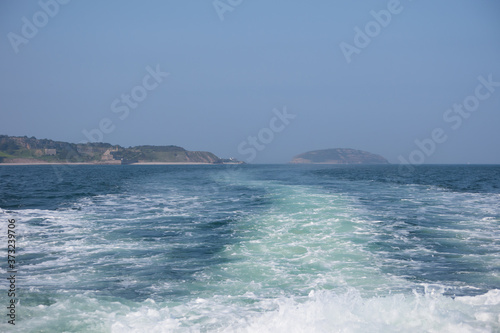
[338, 156]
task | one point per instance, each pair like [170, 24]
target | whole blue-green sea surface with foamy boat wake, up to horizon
[252, 248]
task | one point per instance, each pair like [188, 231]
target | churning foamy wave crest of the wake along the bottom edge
[320, 311]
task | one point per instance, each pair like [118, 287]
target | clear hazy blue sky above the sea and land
[415, 81]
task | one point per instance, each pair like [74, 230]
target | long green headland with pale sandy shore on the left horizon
[24, 150]
